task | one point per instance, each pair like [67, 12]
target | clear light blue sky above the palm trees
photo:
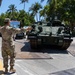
[6, 3]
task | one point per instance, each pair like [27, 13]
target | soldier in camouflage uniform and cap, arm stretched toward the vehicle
[8, 48]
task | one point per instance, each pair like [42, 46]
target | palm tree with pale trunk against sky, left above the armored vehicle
[35, 8]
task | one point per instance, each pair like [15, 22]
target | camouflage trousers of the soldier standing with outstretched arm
[8, 53]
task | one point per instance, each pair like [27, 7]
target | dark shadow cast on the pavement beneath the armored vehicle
[27, 48]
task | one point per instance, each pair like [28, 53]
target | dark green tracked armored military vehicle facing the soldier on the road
[54, 34]
